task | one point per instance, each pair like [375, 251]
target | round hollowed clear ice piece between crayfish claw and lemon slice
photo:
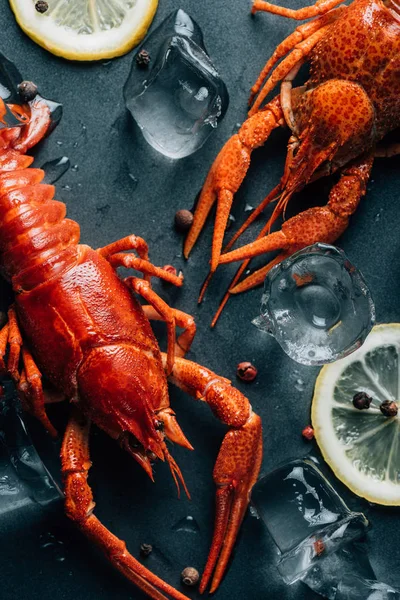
[317, 305]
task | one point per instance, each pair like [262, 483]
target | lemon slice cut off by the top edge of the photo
[86, 29]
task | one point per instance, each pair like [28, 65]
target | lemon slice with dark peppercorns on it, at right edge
[362, 447]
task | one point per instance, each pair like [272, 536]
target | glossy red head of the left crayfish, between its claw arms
[122, 389]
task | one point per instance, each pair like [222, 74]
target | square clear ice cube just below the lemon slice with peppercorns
[305, 516]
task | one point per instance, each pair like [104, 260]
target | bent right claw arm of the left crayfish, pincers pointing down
[238, 462]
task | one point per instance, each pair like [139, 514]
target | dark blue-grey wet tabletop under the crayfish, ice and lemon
[97, 136]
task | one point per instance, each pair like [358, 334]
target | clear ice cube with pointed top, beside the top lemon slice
[179, 102]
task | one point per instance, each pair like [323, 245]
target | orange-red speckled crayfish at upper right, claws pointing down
[337, 120]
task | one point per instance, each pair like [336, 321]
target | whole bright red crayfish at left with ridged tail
[77, 324]
